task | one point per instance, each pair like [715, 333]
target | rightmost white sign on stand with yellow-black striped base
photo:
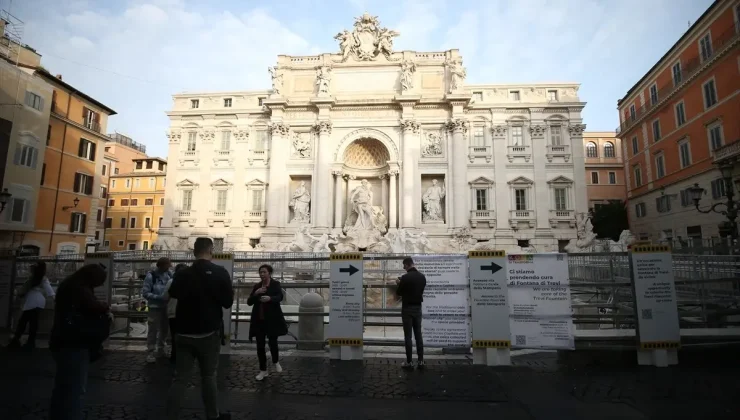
[656, 306]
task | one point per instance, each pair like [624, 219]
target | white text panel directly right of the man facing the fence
[446, 306]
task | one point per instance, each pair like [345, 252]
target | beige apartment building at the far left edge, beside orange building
[25, 105]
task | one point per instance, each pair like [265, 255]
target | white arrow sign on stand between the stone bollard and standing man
[345, 329]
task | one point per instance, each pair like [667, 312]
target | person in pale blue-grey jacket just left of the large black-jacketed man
[155, 285]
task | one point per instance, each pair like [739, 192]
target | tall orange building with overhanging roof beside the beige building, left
[69, 196]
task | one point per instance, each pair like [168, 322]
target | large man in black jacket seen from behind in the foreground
[202, 291]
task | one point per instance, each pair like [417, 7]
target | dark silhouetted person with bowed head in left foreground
[81, 325]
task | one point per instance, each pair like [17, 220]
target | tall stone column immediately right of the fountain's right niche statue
[460, 191]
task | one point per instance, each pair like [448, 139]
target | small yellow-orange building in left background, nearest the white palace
[135, 206]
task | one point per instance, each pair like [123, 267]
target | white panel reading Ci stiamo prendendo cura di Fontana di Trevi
[539, 301]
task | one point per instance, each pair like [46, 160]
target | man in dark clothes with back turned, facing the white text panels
[411, 290]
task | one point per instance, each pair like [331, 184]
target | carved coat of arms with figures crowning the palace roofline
[367, 40]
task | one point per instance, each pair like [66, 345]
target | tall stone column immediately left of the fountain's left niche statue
[277, 212]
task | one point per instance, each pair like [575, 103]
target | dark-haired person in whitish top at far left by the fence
[35, 291]
